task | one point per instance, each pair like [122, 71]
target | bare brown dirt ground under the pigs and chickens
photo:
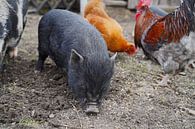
[136, 100]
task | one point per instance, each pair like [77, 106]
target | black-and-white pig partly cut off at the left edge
[12, 22]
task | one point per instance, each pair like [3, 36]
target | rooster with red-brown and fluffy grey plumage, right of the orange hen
[167, 39]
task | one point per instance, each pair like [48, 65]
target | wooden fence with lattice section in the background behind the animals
[42, 6]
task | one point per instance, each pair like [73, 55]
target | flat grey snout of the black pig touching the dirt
[92, 108]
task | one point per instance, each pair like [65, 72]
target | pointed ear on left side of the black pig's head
[75, 57]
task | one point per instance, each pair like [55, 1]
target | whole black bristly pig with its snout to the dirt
[76, 46]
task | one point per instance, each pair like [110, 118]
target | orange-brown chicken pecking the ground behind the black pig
[111, 30]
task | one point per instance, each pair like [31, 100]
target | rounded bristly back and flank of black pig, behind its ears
[68, 31]
